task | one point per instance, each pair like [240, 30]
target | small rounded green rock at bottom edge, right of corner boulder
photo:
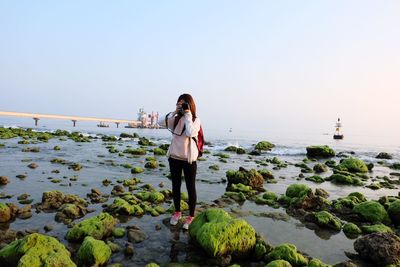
[93, 252]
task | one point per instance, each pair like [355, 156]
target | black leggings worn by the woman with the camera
[189, 170]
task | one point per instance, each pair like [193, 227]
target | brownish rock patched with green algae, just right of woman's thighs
[246, 177]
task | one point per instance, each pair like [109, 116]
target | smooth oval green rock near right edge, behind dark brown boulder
[372, 211]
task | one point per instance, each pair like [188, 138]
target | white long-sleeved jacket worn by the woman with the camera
[182, 147]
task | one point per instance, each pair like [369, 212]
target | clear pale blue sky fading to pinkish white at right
[268, 65]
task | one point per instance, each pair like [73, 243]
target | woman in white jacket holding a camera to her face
[183, 153]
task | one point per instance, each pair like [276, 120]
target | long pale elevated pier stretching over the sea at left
[37, 116]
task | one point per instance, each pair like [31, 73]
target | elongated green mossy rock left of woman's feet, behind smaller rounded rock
[99, 226]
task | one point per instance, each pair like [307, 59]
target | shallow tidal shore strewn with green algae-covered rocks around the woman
[71, 199]
